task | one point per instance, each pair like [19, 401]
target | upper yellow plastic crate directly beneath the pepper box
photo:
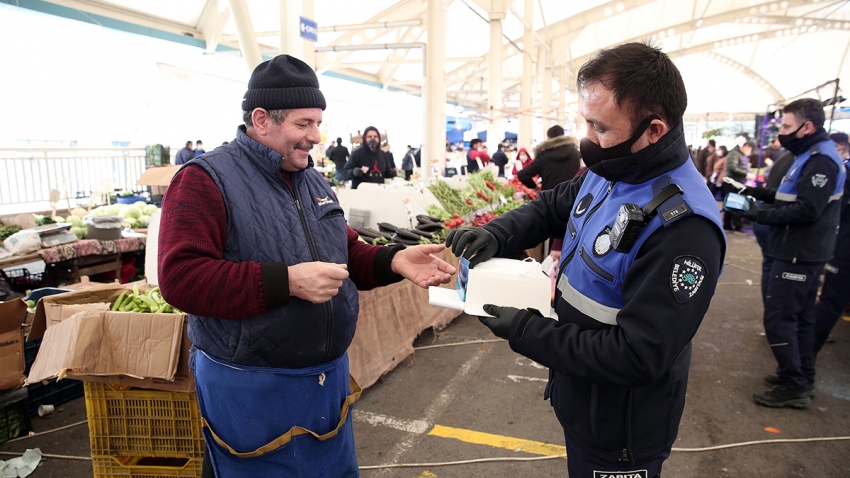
[140, 422]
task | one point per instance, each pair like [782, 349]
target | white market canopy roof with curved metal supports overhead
[735, 55]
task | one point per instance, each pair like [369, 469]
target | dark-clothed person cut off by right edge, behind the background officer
[835, 294]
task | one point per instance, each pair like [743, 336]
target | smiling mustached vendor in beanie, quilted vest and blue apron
[255, 248]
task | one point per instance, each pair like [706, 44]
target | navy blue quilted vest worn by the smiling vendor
[269, 222]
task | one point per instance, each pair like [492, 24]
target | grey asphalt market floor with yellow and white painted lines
[487, 388]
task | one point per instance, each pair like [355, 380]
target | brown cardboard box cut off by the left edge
[12, 316]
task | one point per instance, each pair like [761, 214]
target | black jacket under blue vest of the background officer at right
[804, 230]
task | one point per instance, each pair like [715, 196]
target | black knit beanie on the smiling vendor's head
[282, 83]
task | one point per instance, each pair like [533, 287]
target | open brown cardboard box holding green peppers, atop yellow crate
[125, 348]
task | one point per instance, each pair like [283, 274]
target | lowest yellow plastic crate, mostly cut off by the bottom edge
[145, 467]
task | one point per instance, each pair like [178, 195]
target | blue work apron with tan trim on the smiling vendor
[272, 422]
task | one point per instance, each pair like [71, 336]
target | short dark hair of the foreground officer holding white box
[643, 79]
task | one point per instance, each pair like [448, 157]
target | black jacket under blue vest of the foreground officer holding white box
[620, 387]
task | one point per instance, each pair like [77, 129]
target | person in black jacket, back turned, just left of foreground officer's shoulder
[556, 160]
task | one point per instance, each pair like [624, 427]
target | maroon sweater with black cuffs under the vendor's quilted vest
[195, 277]
